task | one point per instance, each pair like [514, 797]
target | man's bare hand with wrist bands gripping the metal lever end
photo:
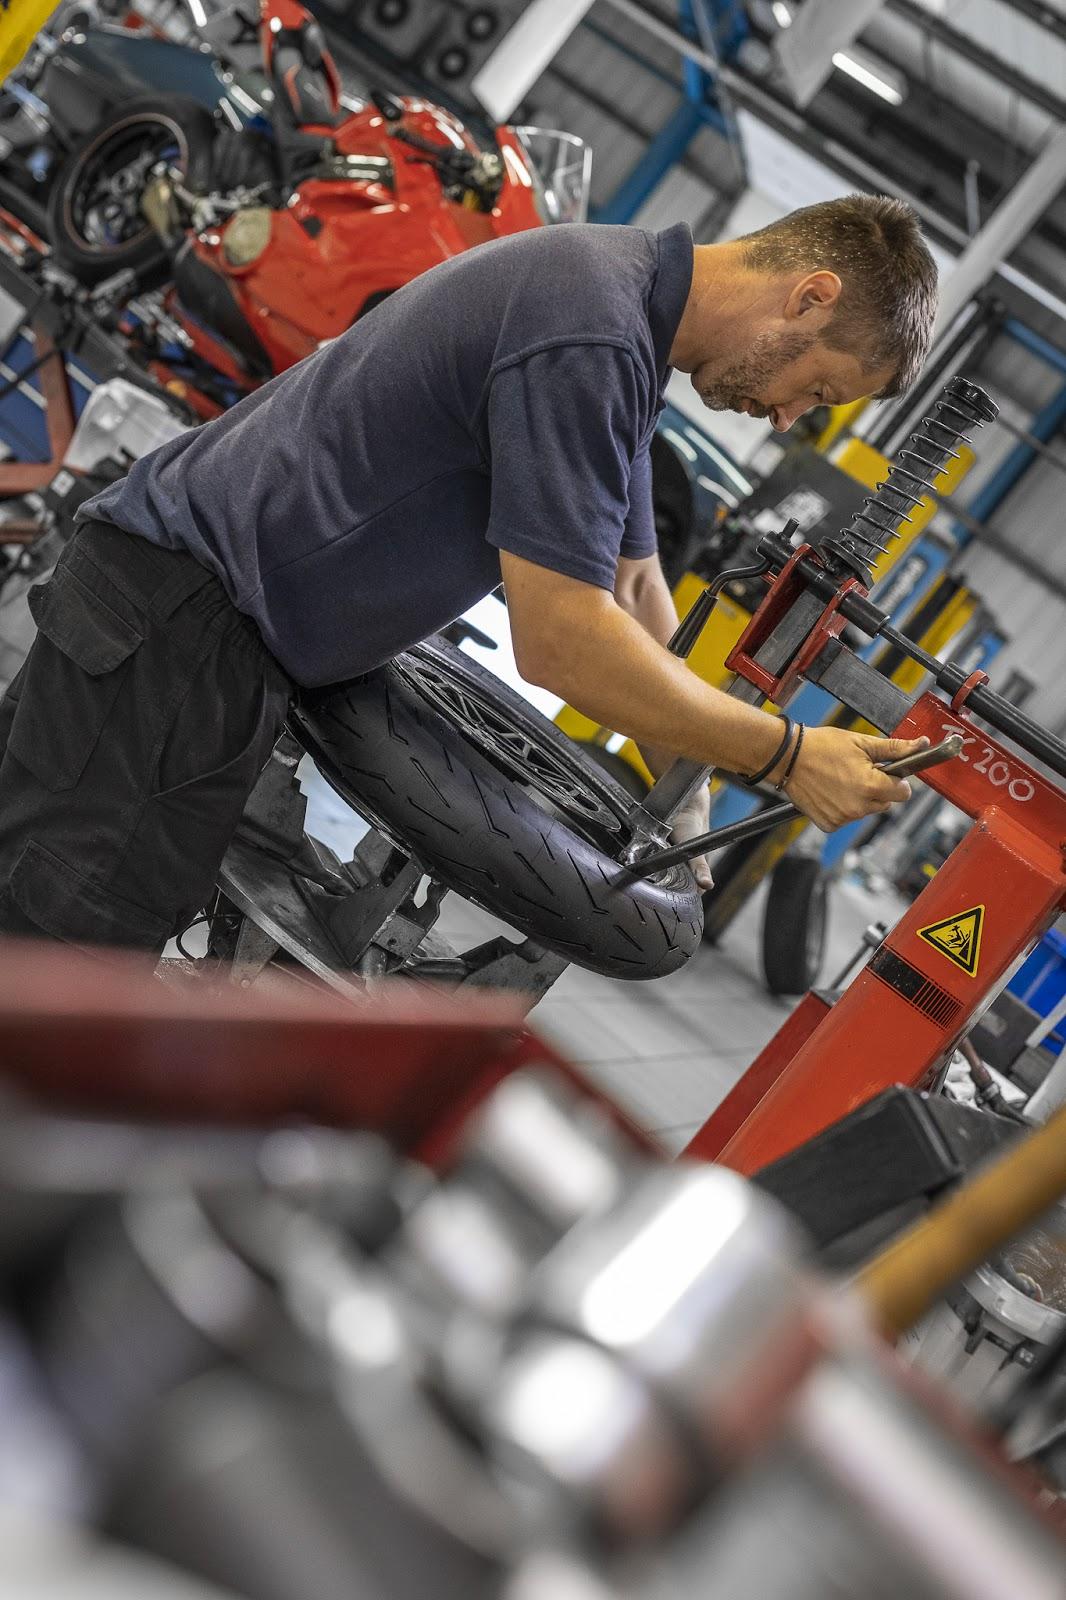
[836, 777]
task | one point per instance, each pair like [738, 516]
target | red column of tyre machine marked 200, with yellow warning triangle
[996, 895]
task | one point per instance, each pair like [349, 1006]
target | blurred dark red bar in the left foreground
[105, 1036]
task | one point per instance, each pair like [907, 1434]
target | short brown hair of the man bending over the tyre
[888, 278]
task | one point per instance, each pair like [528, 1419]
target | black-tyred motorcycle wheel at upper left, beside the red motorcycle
[95, 217]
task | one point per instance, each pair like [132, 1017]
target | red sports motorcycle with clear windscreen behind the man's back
[281, 241]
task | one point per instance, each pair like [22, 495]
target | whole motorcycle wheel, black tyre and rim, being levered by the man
[503, 809]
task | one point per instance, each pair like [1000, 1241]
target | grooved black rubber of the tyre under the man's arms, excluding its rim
[407, 767]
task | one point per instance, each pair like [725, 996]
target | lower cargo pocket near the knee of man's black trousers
[65, 905]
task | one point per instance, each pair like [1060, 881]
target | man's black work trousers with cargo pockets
[129, 745]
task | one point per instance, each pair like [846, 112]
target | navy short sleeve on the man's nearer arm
[566, 430]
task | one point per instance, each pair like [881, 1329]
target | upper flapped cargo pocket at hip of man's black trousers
[74, 674]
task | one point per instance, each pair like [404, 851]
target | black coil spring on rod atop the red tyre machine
[960, 410]
